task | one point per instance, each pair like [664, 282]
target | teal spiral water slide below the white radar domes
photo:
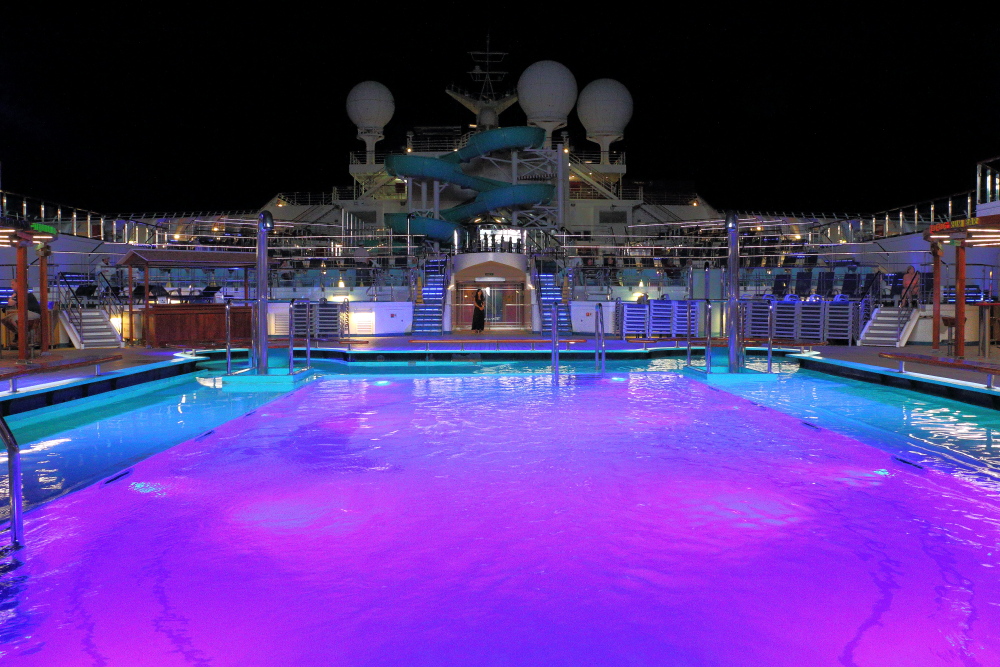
[448, 169]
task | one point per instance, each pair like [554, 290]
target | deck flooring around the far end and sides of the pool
[136, 356]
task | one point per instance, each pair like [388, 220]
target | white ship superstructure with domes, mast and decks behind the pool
[530, 214]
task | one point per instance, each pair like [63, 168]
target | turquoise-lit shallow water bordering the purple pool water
[71, 446]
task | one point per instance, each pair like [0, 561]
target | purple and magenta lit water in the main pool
[498, 520]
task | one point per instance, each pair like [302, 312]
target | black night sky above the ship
[819, 110]
